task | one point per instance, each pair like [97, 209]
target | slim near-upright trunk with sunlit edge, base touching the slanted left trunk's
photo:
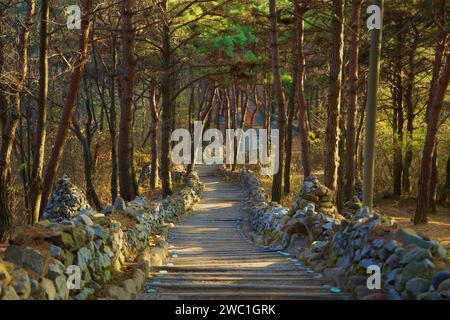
[38, 163]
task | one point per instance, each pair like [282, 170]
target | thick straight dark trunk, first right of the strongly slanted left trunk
[126, 101]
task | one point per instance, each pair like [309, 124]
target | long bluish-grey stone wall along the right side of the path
[341, 249]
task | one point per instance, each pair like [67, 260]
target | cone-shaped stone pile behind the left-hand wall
[66, 201]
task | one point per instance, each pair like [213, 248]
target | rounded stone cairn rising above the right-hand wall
[316, 193]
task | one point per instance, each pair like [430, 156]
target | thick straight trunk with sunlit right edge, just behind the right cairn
[334, 97]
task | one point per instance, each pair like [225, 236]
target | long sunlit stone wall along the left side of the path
[35, 263]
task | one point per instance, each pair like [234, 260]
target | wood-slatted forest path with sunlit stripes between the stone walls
[211, 259]
